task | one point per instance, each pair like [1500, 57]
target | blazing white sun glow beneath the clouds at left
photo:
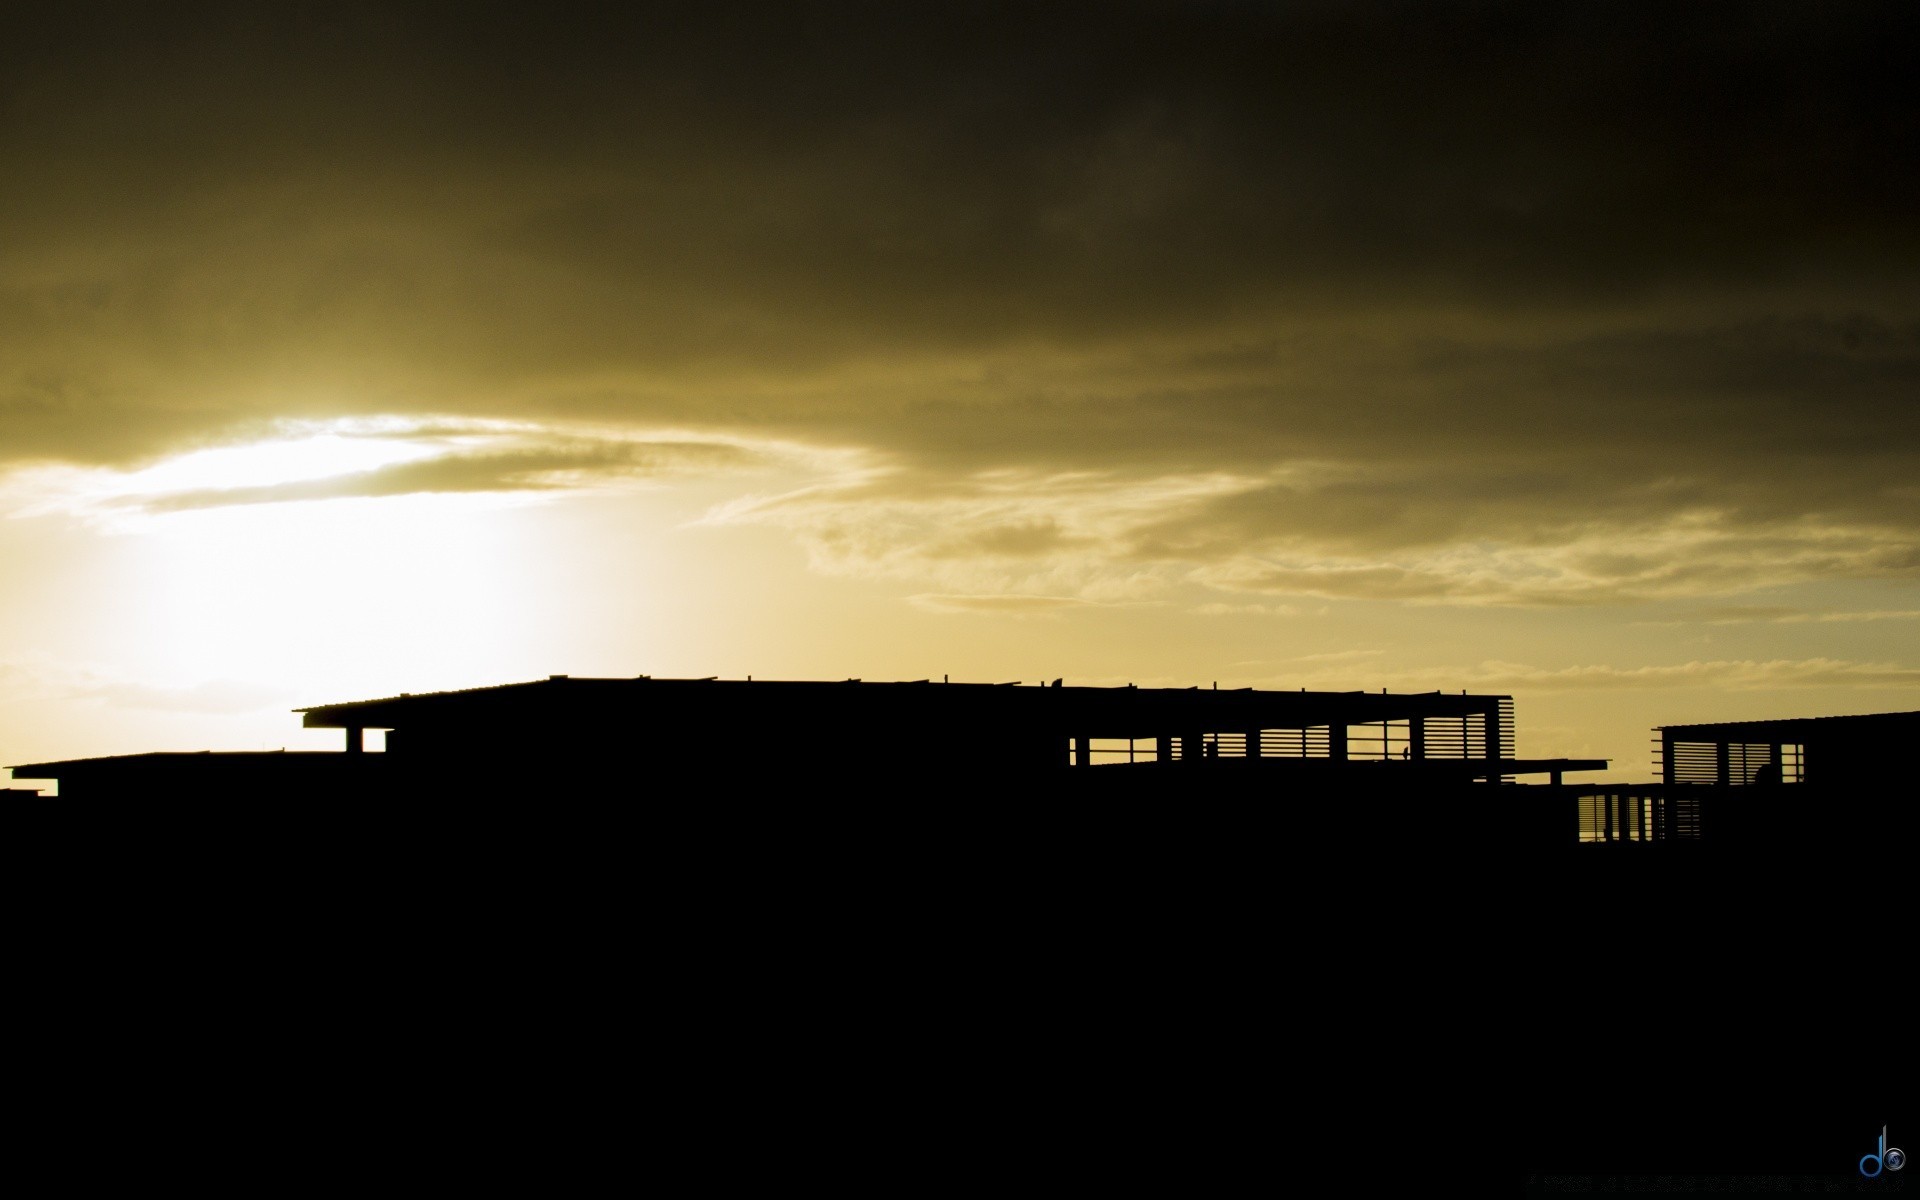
[358, 558]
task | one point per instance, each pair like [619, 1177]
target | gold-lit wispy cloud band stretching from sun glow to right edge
[1140, 535]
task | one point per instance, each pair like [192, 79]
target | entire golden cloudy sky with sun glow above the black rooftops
[1556, 350]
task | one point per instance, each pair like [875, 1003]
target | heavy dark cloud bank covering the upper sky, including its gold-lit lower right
[1412, 277]
